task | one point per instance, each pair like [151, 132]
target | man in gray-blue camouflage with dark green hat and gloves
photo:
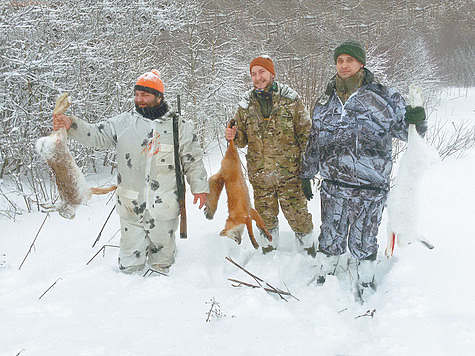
[350, 146]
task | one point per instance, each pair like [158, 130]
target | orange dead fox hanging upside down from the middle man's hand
[239, 204]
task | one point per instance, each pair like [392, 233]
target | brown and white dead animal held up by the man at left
[70, 181]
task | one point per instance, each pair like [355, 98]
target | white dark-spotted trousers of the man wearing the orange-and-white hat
[145, 239]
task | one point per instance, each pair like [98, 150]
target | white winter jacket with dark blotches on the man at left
[145, 160]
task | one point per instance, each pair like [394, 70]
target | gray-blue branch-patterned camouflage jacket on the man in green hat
[352, 143]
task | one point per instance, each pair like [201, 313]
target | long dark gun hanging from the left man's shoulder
[180, 179]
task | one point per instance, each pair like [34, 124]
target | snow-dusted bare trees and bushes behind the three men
[96, 50]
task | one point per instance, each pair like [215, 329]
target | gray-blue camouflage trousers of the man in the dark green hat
[350, 216]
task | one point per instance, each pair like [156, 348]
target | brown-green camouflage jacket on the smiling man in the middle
[275, 146]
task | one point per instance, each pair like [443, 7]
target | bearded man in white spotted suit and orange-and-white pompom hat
[147, 200]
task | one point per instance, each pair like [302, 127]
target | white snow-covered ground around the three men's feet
[425, 303]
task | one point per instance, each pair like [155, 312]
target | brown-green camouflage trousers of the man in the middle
[288, 193]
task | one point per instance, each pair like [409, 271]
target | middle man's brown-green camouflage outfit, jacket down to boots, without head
[275, 148]
